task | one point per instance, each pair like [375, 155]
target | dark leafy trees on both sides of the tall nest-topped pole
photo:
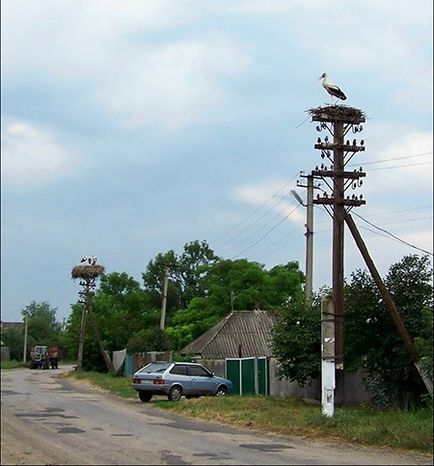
[371, 340]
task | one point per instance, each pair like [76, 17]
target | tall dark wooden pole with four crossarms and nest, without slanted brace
[338, 121]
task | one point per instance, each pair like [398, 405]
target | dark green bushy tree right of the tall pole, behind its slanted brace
[373, 342]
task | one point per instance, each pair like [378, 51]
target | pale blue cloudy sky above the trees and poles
[132, 128]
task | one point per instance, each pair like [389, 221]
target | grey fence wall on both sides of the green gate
[350, 389]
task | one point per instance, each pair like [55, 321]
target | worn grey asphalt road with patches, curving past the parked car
[46, 419]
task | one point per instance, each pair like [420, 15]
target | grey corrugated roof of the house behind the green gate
[250, 329]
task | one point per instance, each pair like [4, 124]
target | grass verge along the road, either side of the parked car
[410, 430]
